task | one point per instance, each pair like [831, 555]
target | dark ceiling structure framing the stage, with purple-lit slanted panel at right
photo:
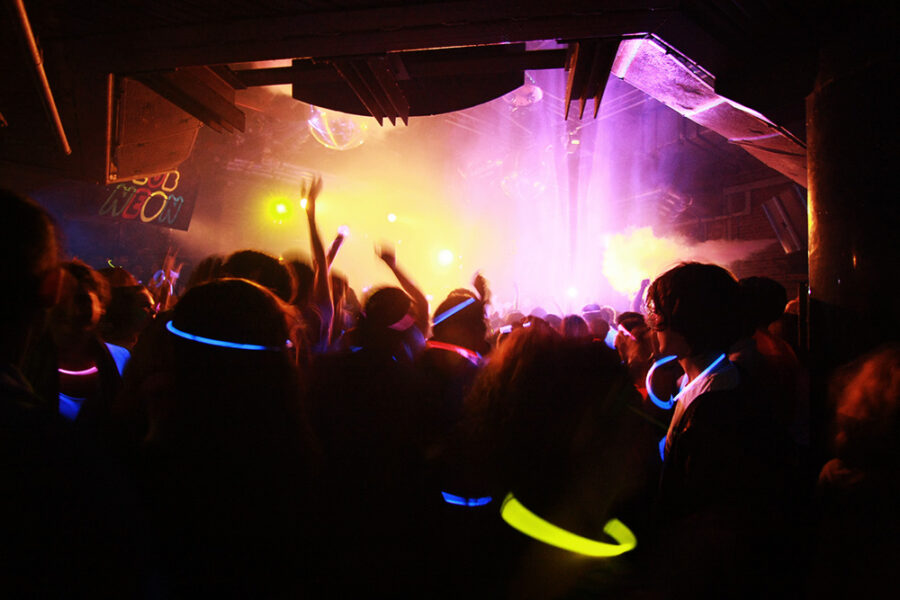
[108, 64]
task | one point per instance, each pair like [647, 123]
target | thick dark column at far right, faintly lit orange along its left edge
[854, 204]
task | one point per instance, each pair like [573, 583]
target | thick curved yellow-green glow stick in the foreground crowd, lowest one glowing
[520, 518]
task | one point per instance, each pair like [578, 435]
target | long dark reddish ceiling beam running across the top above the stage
[365, 32]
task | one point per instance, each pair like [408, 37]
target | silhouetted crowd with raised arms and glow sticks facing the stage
[257, 431]
